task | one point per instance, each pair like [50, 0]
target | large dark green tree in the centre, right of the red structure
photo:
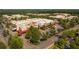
[34, 35]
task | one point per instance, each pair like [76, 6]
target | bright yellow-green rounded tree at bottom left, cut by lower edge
[15, 42]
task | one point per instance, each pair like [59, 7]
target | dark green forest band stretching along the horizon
[24, 11]
